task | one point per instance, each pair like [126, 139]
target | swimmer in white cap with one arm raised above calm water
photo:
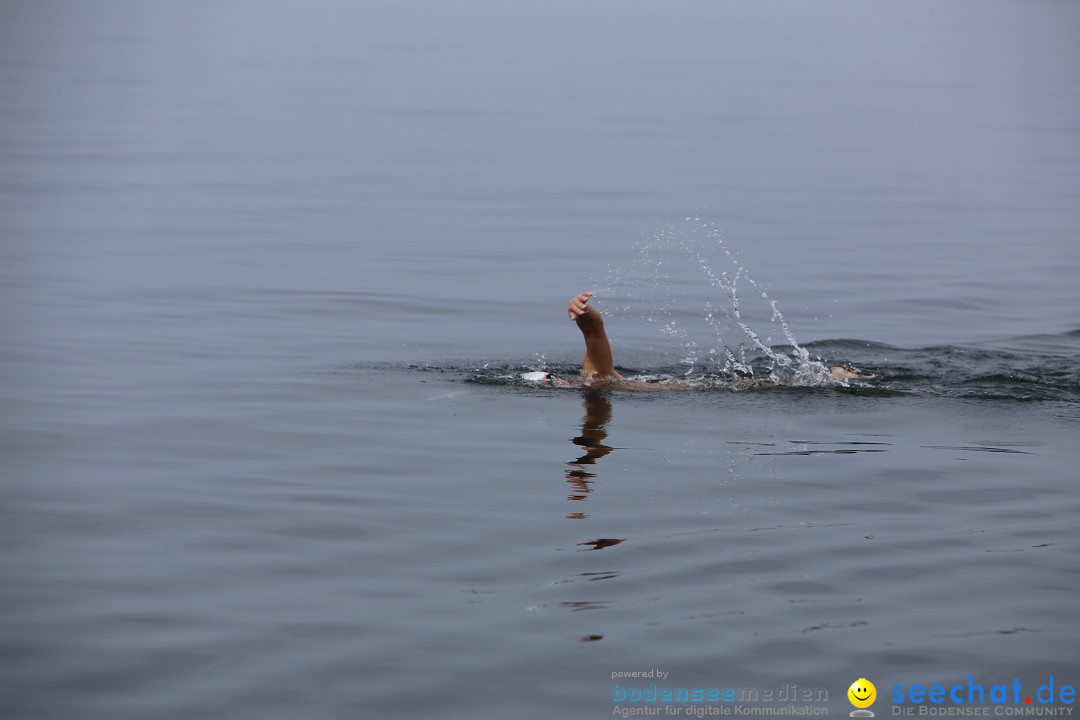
[598, 366]
